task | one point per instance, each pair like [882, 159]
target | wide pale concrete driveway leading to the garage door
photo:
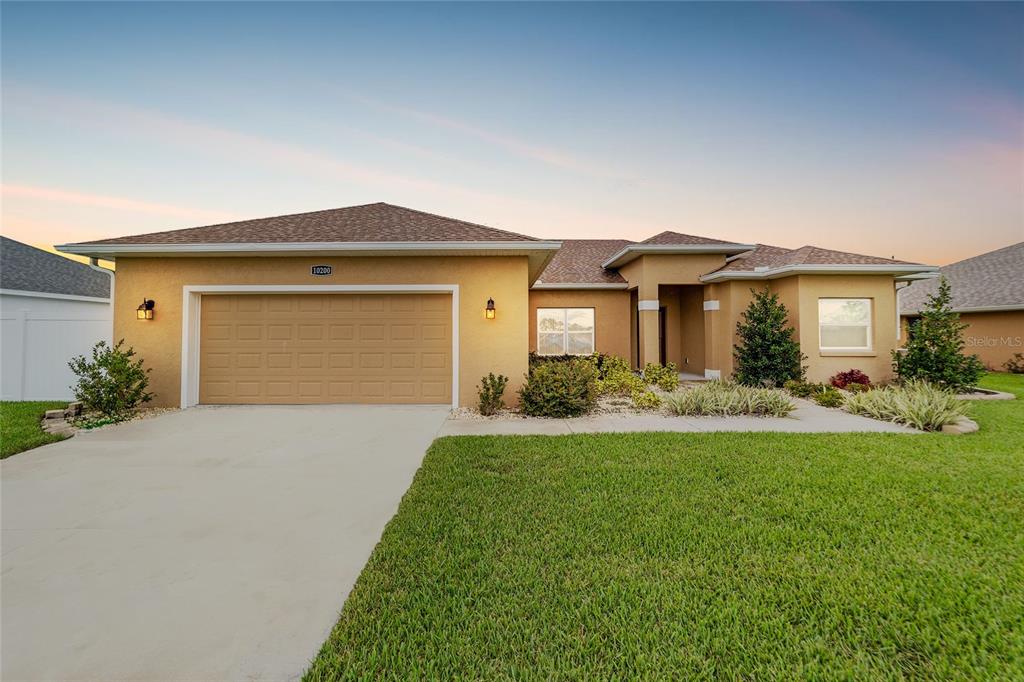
[215, 543]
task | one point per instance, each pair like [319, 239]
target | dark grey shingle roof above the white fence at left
[30, 270]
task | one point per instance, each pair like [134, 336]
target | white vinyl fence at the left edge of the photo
[39, 333]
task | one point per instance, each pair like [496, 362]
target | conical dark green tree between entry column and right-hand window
[767, 355]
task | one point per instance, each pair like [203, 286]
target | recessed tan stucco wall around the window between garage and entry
[612, 316]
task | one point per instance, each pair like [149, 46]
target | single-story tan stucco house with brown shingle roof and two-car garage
[380, 304]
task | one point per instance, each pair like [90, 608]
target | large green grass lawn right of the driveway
[765, 557]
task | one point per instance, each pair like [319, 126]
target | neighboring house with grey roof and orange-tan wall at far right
[989, 294]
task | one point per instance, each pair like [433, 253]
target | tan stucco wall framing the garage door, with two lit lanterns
[498, 346]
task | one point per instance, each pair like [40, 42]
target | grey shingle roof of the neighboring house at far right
[992, 281]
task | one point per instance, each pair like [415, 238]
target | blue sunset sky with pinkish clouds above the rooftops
[889, 130]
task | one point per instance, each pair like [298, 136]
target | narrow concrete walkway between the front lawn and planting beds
[807, 418]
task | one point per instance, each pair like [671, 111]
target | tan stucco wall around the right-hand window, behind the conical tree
[800, 295]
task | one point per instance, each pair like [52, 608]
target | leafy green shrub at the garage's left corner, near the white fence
[111, 382]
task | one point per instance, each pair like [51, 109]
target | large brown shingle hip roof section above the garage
[371, 223]
